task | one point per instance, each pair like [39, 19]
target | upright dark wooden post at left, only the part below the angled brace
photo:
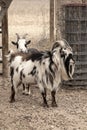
[5, 44]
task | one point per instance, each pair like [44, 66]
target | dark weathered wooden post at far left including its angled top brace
[4, 5]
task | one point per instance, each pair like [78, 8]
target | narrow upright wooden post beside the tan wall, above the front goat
[51, 21]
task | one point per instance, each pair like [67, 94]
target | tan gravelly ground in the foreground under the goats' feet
[27, 113]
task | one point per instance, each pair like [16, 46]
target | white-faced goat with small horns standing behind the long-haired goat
[22, 46]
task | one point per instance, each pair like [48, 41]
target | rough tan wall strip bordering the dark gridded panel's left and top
[59, 25]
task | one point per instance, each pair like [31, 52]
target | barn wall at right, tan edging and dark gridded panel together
[71, 24]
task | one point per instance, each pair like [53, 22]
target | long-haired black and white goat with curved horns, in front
[47, 69]
